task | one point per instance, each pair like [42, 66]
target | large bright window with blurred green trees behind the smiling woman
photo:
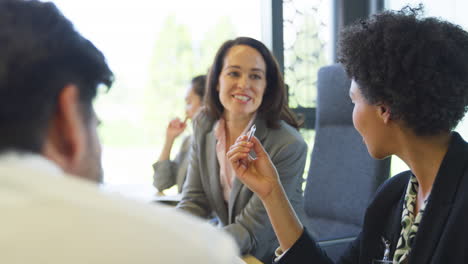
[154, 50]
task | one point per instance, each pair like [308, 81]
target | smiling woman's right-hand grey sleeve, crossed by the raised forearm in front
[252, 228]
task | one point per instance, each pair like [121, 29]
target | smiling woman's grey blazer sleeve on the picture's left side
[194, 199]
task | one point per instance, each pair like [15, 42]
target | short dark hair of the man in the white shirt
[41, 53]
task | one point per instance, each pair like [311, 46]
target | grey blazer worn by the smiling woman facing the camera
[244, 217]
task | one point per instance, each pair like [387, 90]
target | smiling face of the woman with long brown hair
[242, 82]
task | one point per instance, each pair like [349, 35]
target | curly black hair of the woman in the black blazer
[417, 66]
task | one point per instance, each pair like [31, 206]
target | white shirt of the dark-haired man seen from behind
[49, 217]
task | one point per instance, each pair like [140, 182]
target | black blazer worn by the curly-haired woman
[443, 232]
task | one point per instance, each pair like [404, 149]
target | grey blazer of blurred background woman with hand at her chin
[170, 172]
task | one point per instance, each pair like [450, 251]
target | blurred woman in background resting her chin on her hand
[170, 172]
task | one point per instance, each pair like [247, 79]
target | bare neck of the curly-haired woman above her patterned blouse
[424, 156]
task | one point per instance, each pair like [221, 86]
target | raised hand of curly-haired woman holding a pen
[258, 174]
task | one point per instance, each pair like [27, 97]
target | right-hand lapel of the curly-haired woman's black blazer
[440, 201]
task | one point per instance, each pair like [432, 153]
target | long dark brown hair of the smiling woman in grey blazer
[274, 106]
